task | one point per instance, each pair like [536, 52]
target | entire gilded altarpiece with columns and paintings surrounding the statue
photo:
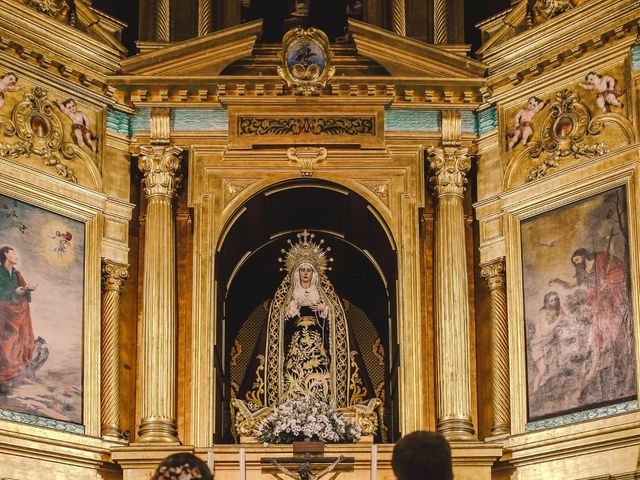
[482, 218]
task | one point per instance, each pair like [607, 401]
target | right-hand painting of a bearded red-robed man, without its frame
[578, 313]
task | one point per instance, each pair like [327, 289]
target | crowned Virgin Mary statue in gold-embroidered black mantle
[307, 351]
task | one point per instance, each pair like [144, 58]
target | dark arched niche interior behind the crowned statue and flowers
[364, 274]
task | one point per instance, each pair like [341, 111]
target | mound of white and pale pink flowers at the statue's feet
[307, 418]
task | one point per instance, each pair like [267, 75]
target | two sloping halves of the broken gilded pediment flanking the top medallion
[211, 54]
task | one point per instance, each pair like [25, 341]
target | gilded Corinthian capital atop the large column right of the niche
[449, 166]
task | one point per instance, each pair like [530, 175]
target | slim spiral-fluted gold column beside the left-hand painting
[113, 278]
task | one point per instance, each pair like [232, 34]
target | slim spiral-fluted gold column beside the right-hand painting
[493, 273]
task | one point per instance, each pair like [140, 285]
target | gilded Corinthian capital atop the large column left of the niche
[161, 168]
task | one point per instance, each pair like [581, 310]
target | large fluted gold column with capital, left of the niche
[160, 165]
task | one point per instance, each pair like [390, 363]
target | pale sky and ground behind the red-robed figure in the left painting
[50, 251]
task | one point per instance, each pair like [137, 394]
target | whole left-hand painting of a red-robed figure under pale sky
[41, 312]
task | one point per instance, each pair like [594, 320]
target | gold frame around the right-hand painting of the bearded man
[535, 201]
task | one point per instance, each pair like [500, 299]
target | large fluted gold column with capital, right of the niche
[449, 166]
